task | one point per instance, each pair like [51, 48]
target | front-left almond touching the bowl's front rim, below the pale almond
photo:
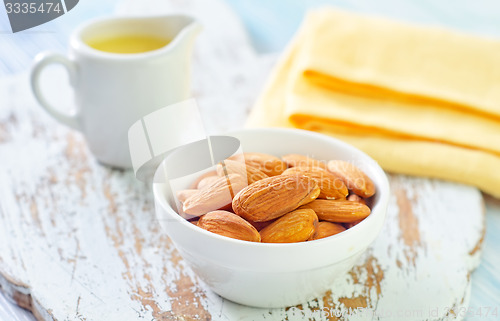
[230, 225]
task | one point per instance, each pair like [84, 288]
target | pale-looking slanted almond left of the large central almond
[216, 196]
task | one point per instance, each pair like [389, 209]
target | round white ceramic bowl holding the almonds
[277, 275]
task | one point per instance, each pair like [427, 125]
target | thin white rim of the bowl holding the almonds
[376, 210]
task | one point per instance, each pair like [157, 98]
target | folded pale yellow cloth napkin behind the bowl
[419, 100]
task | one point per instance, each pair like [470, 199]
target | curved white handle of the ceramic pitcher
[41, 61]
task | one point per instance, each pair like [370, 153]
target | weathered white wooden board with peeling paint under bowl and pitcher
[79, 241]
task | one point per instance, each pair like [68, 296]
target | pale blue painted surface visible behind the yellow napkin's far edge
[271, 24]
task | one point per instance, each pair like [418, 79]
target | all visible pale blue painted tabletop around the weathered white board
[271, 24]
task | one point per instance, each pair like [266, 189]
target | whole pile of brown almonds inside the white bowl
[261, 198]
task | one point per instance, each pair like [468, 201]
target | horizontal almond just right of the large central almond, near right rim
[339, 211]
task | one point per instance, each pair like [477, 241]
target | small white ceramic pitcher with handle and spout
[114, 90]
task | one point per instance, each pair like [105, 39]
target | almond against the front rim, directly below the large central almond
[296, 226]
